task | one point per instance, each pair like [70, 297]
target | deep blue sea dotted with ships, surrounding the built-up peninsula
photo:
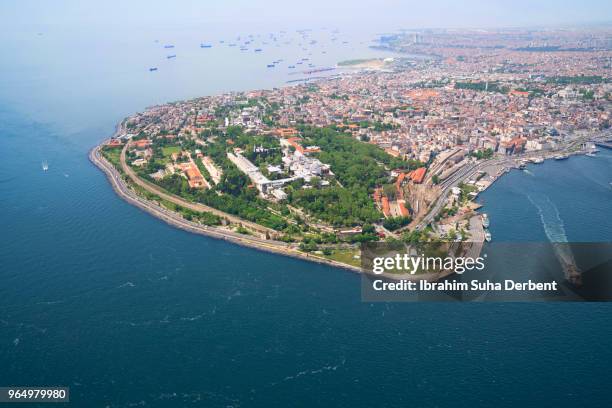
[128, 311]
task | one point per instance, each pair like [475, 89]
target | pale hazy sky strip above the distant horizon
[283, 14]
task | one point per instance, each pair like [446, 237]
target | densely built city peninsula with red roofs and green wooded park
[388, 149]
